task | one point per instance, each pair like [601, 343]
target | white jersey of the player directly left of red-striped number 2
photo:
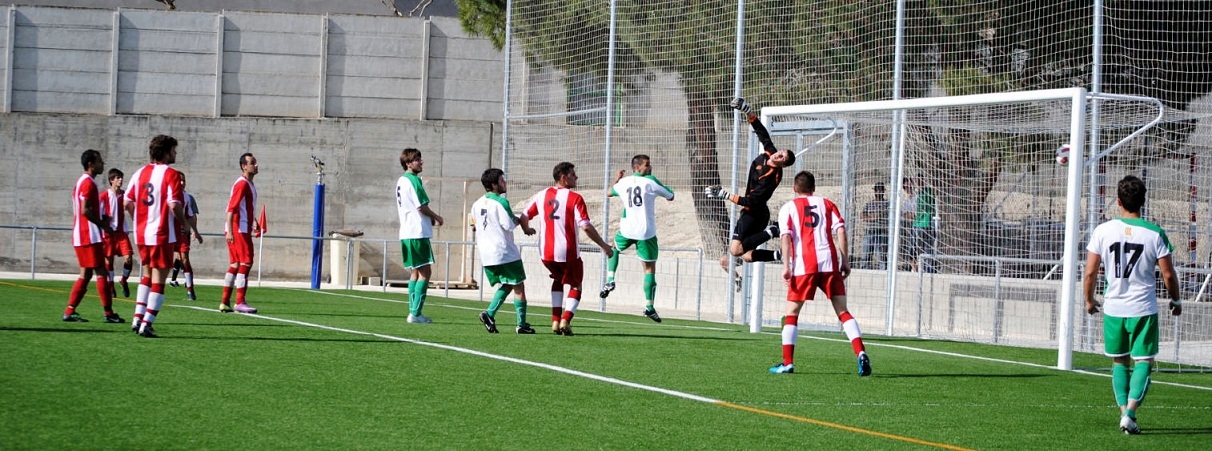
[495, 224]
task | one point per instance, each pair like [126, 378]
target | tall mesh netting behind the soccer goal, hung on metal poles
[1001, 191]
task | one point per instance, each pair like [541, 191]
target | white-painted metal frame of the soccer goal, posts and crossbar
[1078, 132]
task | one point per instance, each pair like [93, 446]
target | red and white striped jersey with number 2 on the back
[563, 212]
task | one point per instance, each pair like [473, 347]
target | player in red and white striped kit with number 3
[155, 199]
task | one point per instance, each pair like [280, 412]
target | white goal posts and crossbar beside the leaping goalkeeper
[1054, 122]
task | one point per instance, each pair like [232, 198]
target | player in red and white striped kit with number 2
[562, 212]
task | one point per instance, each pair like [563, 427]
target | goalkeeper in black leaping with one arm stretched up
[753, 227]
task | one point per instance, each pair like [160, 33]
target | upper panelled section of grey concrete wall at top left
[245, 65]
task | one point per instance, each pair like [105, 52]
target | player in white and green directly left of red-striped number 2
[495, 224]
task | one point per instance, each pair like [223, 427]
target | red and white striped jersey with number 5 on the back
[811, 221]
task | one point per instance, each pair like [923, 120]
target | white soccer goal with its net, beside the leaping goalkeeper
[977, 230]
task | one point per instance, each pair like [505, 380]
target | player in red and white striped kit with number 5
[815, 248]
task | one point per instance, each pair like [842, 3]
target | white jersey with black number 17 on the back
[1130, 249]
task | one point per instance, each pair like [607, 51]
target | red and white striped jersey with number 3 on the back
[155, 190]
